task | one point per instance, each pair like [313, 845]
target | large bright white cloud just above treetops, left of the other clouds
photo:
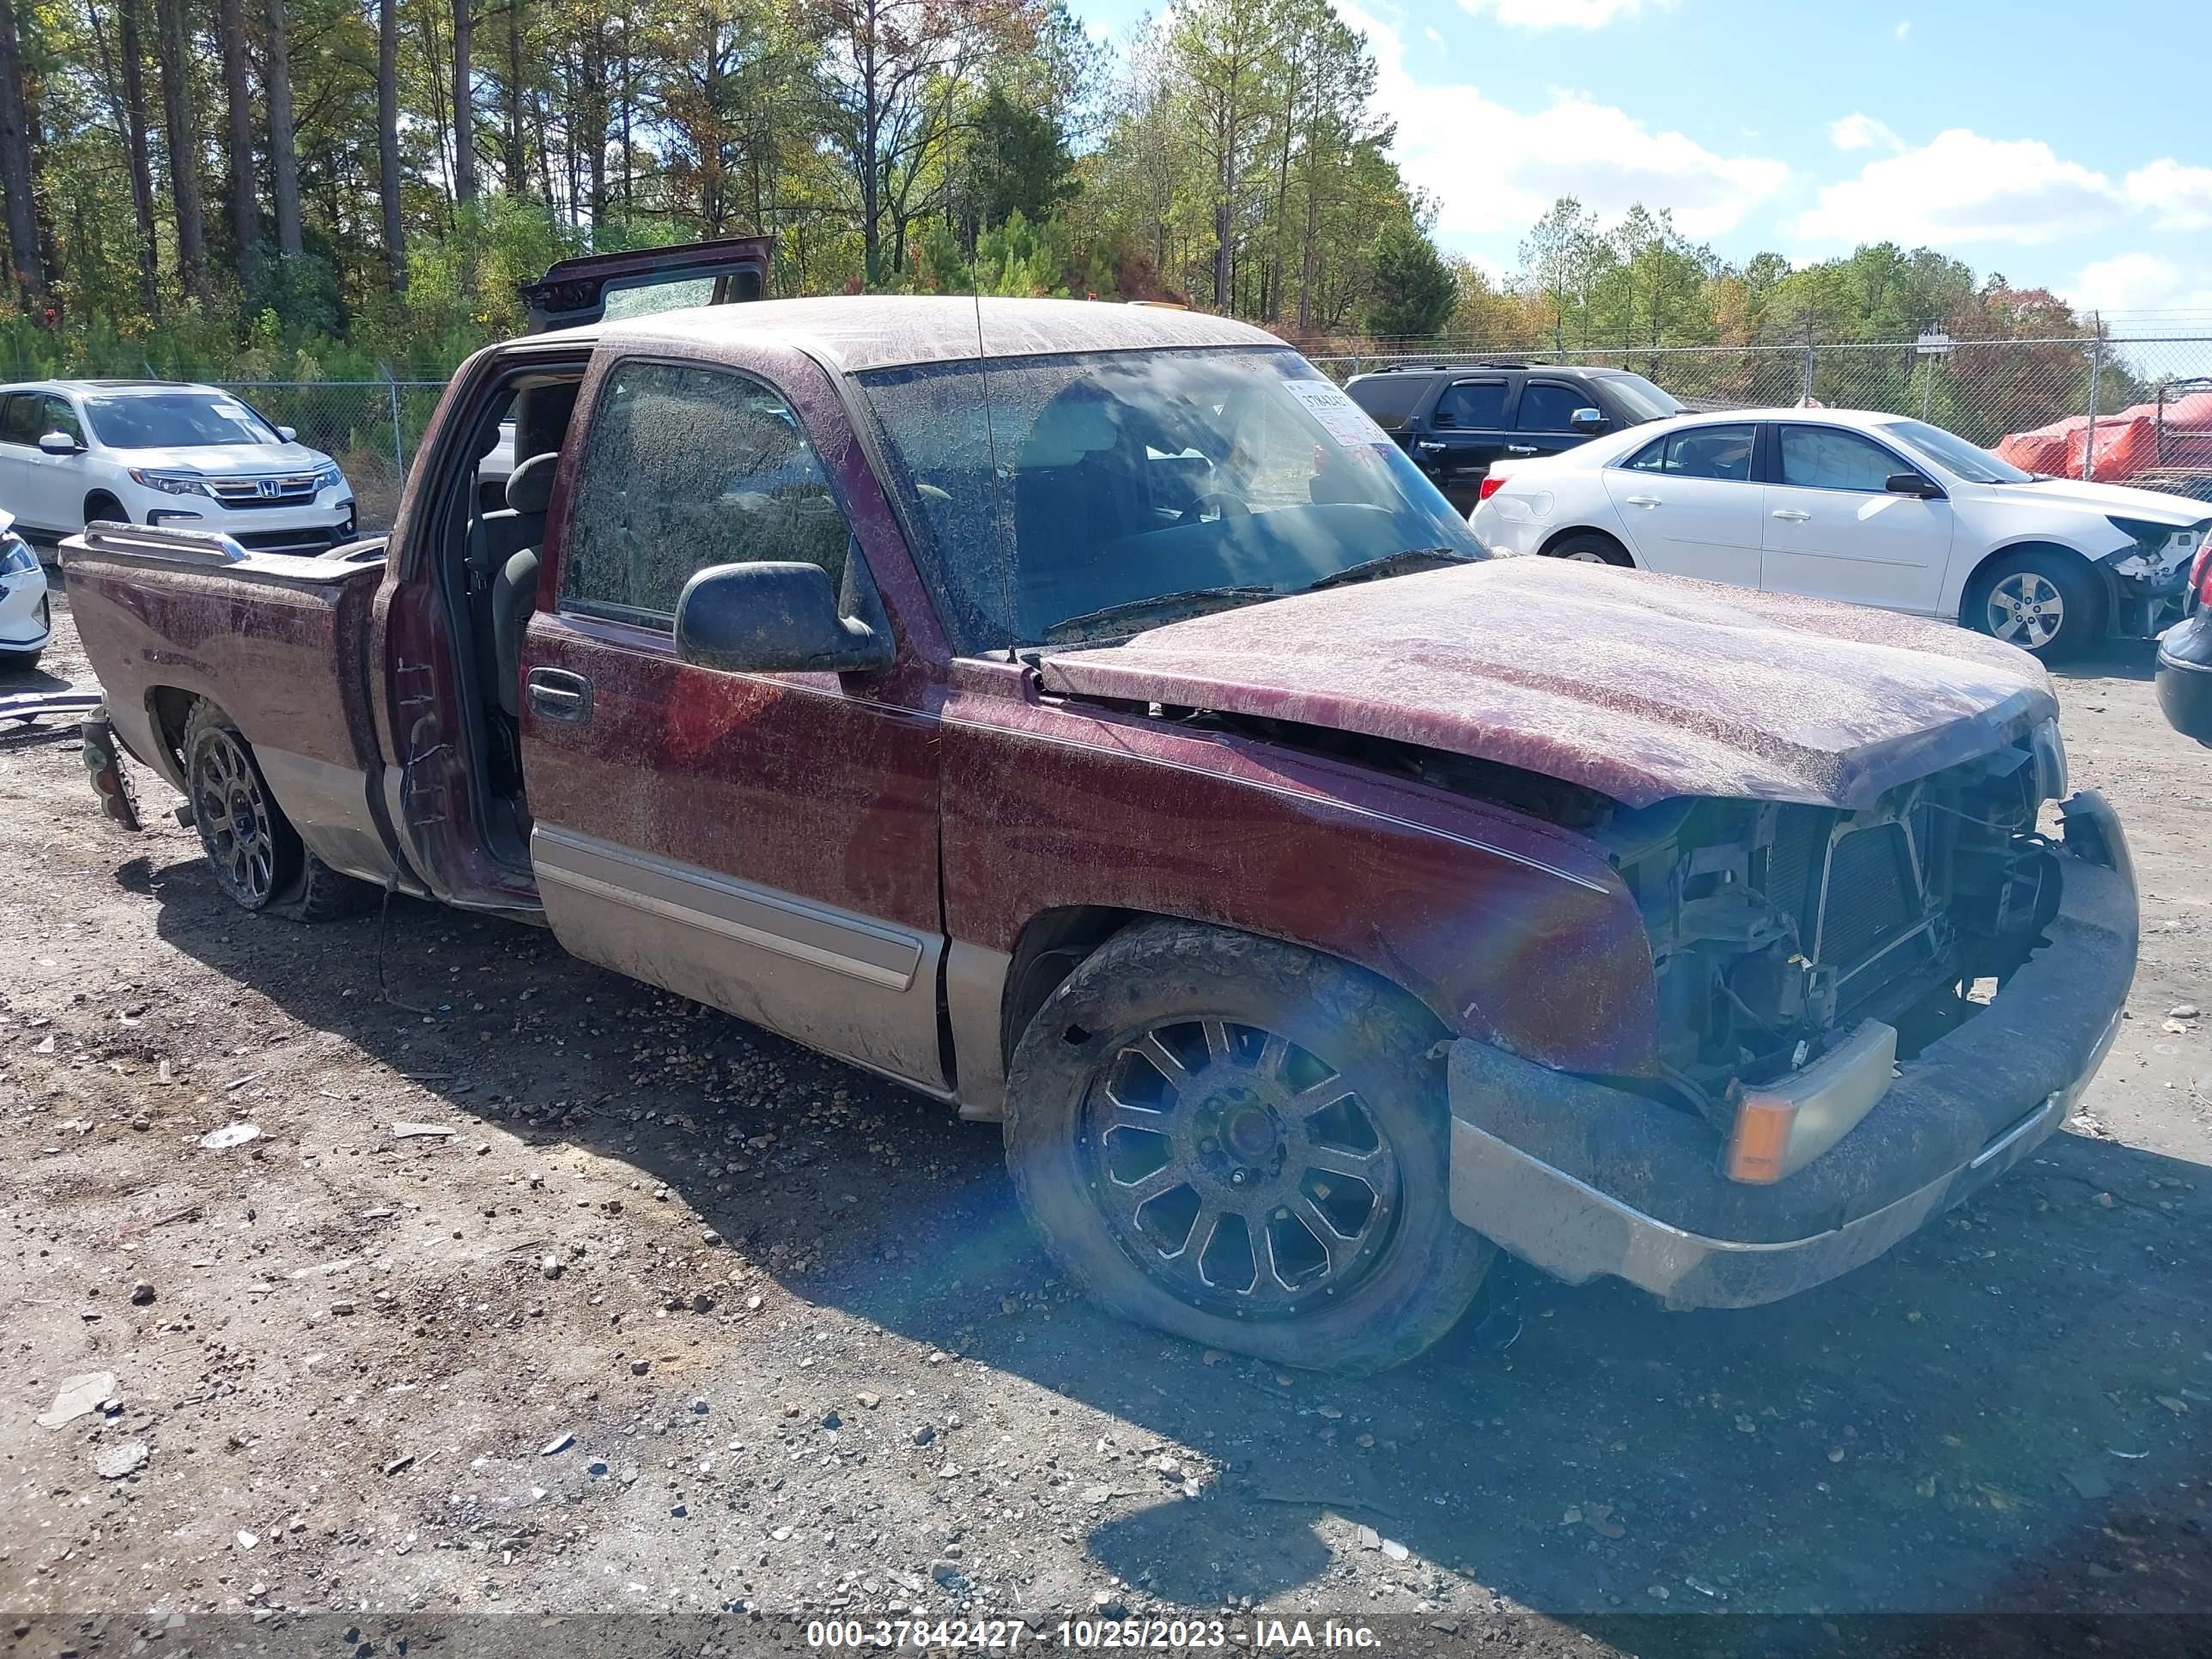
[1496, 169]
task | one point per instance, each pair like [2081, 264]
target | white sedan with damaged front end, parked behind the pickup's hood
[1864, 508]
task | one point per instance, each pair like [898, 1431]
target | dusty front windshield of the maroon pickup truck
[1134, 477]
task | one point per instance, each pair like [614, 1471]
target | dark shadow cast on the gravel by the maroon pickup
[2005, 1415]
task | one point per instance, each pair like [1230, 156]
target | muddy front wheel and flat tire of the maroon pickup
[1244, 1145]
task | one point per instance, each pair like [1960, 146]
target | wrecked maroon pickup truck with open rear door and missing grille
[1089, 720]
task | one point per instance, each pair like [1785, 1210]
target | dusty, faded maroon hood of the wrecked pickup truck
[1640, 687]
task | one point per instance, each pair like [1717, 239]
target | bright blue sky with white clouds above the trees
[2060, 145]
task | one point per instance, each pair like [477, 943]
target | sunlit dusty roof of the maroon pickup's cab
[857, 333]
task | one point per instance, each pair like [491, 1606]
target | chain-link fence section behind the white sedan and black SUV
[2098, 406]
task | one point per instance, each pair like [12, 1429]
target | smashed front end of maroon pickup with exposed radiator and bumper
[1864, 1019]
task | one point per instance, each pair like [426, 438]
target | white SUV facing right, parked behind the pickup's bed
[158, 452]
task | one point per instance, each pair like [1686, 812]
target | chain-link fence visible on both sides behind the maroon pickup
[2136, 408]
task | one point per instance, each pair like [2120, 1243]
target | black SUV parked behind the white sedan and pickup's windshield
[1454, 419]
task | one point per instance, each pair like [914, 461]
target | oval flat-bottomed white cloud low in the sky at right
[1965, 189]
